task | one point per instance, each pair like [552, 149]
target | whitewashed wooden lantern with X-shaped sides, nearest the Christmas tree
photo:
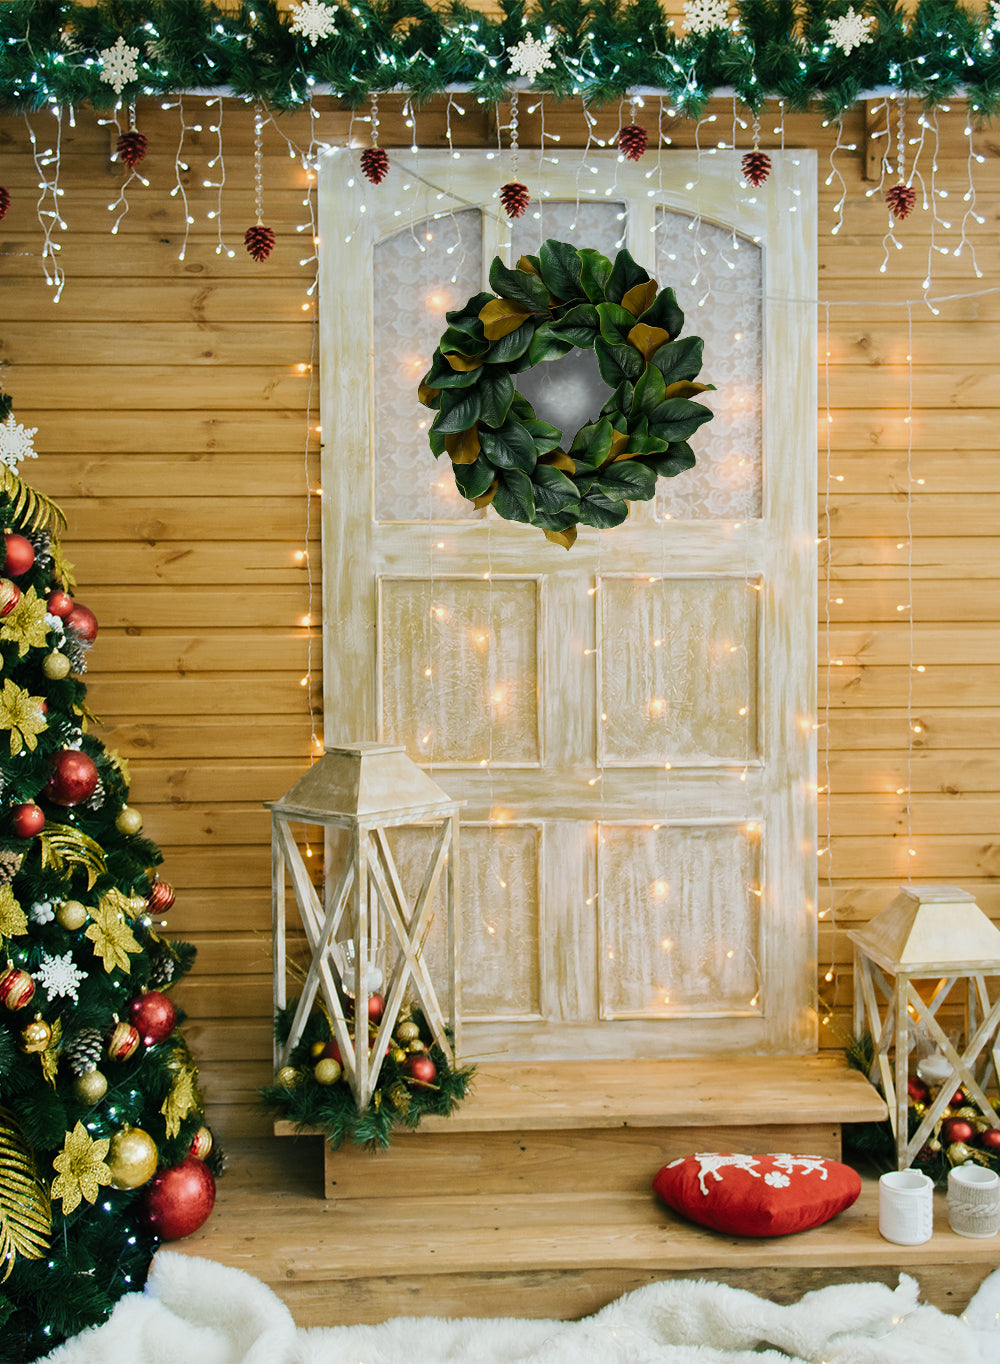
[366, 789]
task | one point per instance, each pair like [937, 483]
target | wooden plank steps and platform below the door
[557, 1220]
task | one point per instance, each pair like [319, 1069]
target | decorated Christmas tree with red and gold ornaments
[104, 1151]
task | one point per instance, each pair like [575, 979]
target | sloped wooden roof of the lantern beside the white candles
[931, 931]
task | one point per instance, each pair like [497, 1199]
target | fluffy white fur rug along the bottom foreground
[196, 1311]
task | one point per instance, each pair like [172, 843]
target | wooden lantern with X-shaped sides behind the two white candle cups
[934, 934]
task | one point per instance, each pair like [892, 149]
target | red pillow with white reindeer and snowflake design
[758, 1196]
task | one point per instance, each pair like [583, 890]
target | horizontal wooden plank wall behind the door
[178, 428]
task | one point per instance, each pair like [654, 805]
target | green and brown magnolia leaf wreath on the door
[503, 455]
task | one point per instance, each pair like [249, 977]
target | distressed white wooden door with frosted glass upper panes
[631, 722]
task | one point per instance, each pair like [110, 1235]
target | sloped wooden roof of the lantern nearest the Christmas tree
[370, 784]
